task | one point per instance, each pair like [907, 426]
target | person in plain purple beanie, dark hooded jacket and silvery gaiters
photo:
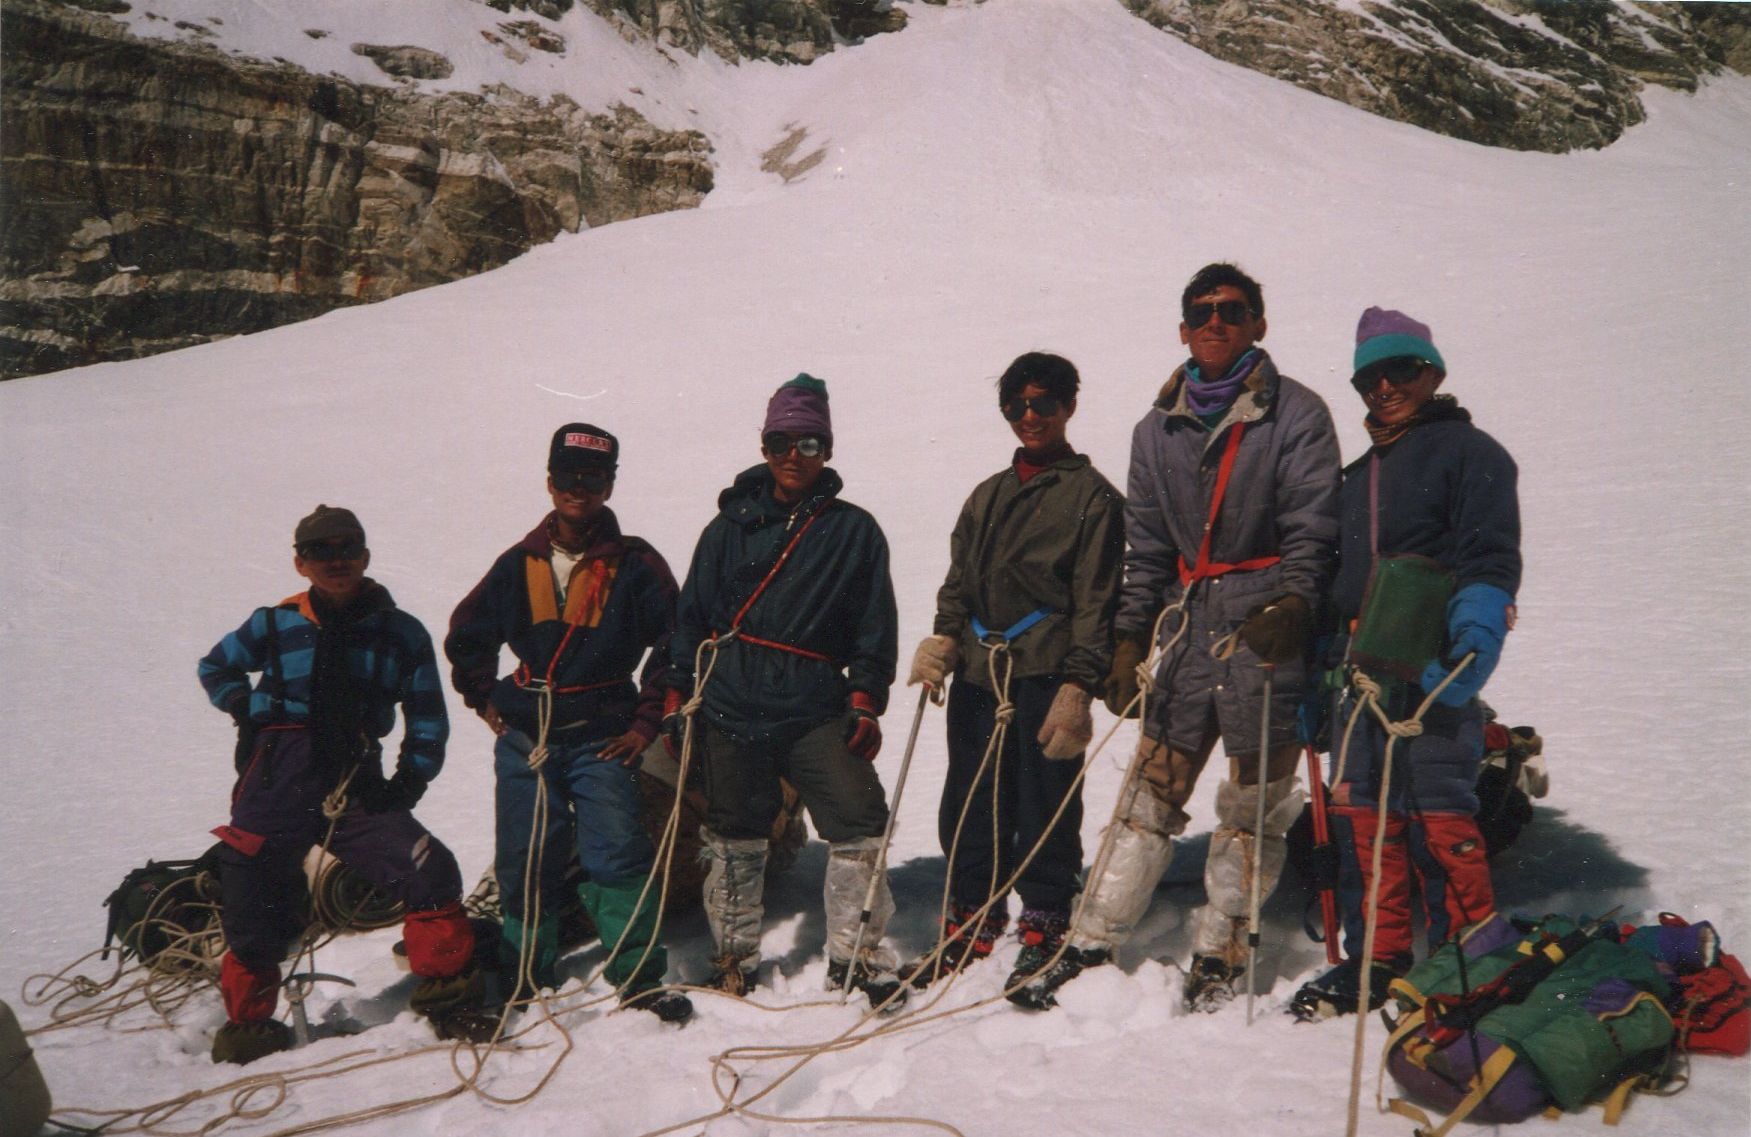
[791, 595]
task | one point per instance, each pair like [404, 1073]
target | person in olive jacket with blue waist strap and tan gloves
[1025, 612]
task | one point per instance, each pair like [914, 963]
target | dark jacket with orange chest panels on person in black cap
[619, 607]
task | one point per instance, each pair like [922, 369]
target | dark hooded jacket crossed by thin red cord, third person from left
[833, 600]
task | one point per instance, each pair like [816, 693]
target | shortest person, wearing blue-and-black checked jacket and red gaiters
[335, 663]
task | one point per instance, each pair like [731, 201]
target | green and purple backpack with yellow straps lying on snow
[1507, 1022]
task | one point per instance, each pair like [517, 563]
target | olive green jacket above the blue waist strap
[1058, 544]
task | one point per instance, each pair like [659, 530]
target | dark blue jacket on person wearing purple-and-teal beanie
[1447, 491]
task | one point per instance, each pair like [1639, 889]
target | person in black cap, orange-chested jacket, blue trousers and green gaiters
[580, 605]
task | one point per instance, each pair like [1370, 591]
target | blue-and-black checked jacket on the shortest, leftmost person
[388, 654]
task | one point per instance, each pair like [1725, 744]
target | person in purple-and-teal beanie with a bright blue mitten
[1435, 486]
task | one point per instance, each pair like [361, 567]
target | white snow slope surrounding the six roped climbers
[1036, 174]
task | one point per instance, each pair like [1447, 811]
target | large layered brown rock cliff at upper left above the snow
[160, 195]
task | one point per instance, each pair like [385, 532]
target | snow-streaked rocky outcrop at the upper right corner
[1522, 74]
